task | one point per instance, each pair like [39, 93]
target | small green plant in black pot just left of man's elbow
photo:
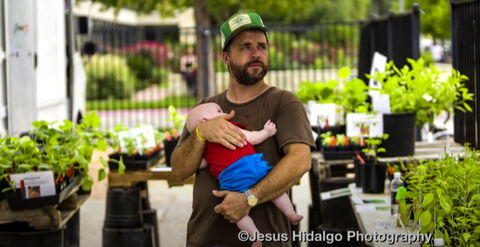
[171, 137]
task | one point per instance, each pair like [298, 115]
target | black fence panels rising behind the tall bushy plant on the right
[396, 36]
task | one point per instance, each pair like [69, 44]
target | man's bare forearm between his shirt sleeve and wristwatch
[285, 174]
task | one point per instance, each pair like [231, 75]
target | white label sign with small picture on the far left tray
[37, 184]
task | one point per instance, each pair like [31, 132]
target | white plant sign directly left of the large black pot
[365, 125]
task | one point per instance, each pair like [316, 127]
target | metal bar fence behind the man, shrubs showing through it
[137, 72]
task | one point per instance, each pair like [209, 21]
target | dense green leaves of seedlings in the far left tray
[62, 150]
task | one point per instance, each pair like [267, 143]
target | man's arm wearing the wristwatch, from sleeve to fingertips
[281, 178]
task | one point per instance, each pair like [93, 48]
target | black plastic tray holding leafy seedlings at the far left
[16, 202]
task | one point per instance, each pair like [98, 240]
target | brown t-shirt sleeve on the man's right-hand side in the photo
[292, 122]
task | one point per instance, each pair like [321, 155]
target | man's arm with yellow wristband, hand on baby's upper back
[186, 157]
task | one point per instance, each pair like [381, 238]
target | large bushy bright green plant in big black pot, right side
[416, 96]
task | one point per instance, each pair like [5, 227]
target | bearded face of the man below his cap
[248, 59]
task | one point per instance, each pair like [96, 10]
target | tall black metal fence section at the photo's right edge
[466, 59]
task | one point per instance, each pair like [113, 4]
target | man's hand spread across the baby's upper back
[219, 130]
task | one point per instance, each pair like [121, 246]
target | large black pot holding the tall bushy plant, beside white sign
[401, 131]
